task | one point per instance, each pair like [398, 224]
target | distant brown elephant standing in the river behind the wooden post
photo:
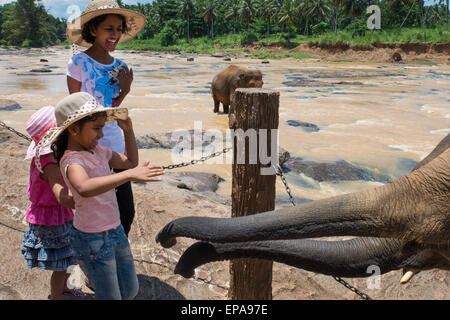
[225, 83]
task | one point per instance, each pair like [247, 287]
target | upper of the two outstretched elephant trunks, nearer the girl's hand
[414, 207]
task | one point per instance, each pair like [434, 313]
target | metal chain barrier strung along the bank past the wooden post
[278, 171]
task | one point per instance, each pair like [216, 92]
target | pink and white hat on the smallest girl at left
[37, 126]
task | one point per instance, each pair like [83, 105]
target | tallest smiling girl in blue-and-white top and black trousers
[100, 28]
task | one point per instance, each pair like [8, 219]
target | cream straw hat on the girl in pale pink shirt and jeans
[71, 109]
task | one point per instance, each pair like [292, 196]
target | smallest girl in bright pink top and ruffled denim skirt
[46, 242]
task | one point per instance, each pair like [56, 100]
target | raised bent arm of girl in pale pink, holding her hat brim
[131, 157]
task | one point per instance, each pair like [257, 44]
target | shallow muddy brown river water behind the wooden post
[381, 117]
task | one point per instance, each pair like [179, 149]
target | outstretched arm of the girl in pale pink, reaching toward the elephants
[90, 187]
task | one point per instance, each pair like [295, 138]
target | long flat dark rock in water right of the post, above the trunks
[340, 170]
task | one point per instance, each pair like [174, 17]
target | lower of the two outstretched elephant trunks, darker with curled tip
[359, 257]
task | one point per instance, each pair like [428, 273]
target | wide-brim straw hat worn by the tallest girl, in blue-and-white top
[135, 21]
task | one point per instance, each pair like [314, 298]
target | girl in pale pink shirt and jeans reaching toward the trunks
[97, 237]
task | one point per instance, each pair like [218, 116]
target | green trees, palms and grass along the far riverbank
[205, 26]
